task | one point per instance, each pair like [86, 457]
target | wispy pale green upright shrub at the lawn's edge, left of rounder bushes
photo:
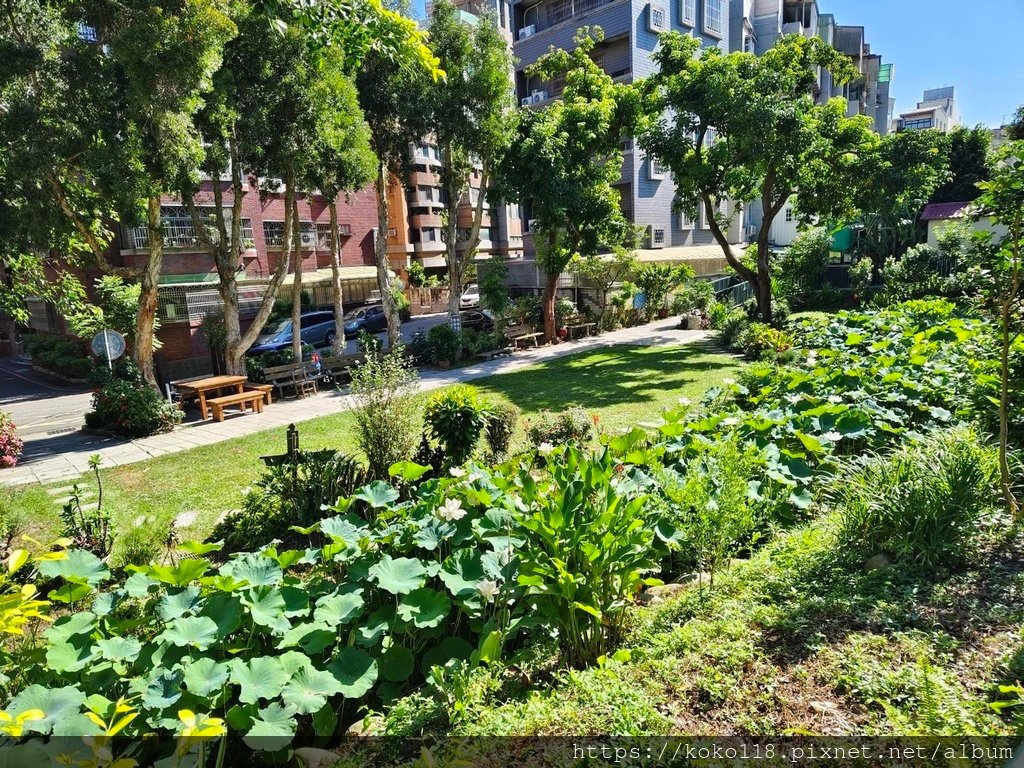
[387, 416]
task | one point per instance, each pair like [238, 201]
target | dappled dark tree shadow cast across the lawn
[612, 377]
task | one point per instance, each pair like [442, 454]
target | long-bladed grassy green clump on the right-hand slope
[921, 503]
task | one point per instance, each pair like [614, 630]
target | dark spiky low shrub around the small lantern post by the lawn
[287, 496]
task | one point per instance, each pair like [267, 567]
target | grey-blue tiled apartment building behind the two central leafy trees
[631, 29]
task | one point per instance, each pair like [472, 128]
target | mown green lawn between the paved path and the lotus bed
[623, 386]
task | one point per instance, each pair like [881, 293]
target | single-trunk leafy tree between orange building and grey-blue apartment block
[565, 160]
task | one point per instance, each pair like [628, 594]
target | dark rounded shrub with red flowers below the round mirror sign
[132, 409]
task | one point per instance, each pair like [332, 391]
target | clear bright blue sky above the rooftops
[975, 46]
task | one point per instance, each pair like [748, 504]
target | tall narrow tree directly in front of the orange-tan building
[472, 117]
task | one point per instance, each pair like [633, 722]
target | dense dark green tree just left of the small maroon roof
[898, 179]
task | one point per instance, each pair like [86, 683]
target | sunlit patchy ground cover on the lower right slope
[799, 639]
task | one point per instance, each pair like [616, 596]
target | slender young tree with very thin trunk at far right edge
[1002, 201]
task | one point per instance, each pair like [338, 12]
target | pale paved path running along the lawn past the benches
[52, 455]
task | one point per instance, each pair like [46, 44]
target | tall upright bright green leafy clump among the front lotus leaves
[590, 549]
